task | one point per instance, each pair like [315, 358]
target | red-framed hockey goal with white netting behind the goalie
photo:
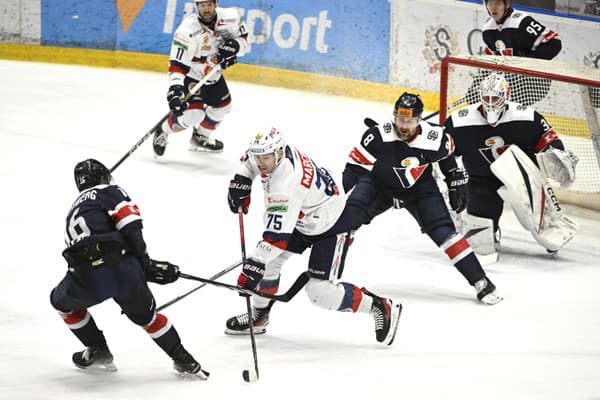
[568, 96]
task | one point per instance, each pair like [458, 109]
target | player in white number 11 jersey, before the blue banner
[212, 38]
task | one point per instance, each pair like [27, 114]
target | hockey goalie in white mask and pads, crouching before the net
[500, 142]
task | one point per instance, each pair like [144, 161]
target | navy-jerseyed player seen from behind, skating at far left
[107, 258]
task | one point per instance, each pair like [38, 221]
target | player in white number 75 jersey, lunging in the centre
[303, 208]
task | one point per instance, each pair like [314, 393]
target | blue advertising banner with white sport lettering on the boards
[328, 37]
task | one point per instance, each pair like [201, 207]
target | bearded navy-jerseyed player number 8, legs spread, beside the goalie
[392, 165]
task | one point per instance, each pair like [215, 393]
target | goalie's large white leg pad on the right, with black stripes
[532, 199]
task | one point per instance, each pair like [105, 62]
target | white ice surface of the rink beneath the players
[542, 342]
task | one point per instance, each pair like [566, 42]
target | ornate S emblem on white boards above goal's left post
[440, 42]
